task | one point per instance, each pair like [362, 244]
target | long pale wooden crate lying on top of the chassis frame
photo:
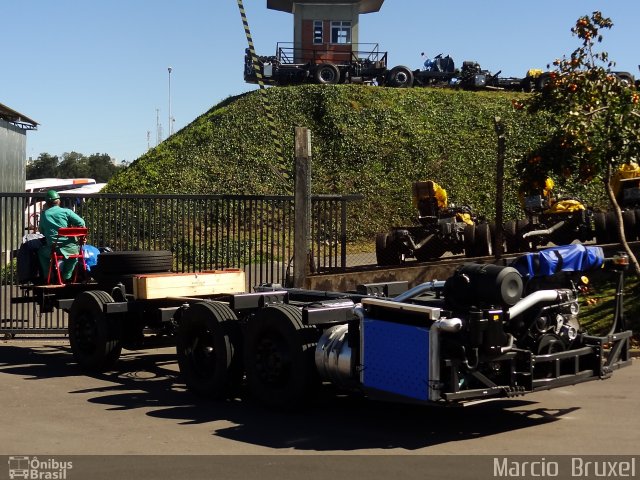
[164, 285]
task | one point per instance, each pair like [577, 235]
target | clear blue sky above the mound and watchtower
[95, 76]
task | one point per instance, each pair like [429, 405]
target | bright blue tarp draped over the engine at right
[568, 258]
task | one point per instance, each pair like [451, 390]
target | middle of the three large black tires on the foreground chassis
[209, 350]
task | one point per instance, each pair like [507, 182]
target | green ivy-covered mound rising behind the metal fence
[366, 140]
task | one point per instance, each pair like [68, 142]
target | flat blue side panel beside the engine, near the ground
[396, 358]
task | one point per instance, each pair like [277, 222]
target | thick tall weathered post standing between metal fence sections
[302, 206]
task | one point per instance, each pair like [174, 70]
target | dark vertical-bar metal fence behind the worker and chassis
[204, 232]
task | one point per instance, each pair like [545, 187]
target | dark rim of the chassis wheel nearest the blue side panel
[272, 360]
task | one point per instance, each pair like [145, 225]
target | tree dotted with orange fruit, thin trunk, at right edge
[594, 122]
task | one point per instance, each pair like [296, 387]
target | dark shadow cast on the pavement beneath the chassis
[149, 380]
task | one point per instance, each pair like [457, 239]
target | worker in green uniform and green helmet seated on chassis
[53, 218]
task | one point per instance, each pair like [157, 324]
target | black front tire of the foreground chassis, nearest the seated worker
[95, 338]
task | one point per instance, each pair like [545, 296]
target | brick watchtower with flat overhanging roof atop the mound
[325, 30]
